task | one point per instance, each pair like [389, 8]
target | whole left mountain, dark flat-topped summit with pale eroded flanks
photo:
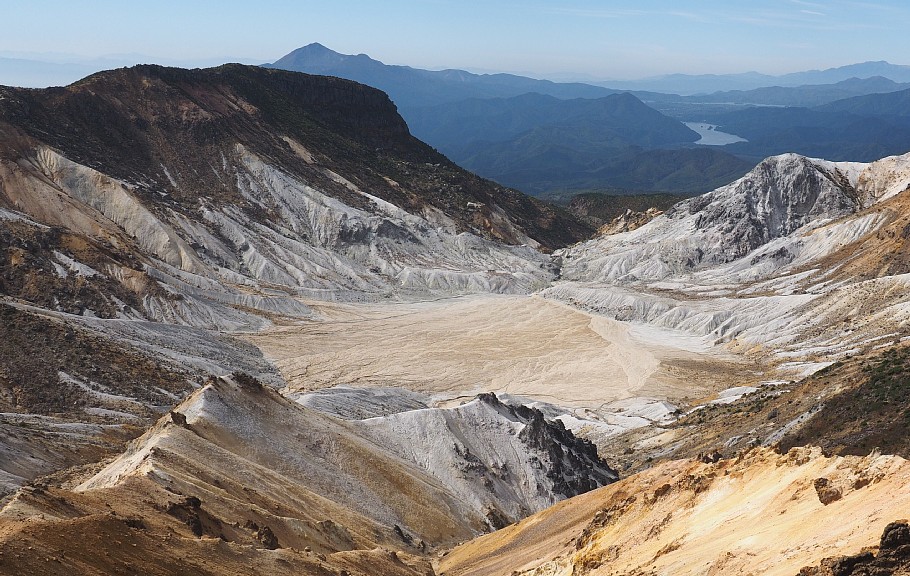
[227, 183]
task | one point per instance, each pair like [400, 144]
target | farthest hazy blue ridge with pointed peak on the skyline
[410, 87]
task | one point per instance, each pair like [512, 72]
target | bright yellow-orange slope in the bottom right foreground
[762, 513]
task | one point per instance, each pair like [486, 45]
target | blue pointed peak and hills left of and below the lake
[536, 135]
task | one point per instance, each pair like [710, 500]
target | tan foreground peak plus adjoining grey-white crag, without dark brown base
[430, 476]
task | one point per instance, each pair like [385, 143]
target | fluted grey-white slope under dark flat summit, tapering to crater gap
[330, 246]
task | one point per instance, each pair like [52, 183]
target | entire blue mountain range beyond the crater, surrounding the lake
[548, 138]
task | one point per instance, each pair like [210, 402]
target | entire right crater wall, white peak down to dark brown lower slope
[799, 268]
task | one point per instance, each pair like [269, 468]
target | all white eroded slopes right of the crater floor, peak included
[749, 264]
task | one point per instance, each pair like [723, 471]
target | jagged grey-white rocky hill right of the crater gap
[781, 195]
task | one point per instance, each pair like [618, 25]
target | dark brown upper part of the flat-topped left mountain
[128, 147]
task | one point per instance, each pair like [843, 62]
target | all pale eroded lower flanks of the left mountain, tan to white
[226, 266]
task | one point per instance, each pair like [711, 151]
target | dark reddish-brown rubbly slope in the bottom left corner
[140, 528]
